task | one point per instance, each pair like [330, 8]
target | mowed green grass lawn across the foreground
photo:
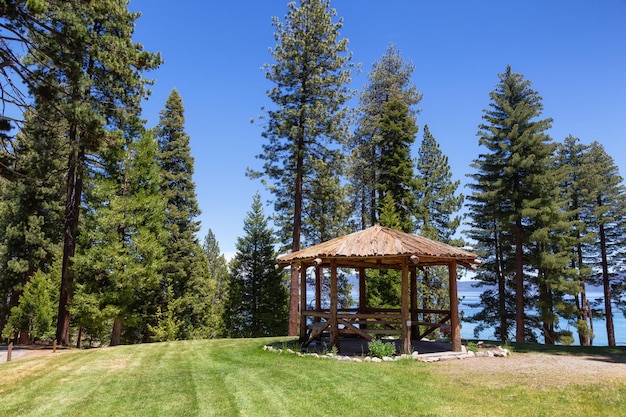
[237, 378]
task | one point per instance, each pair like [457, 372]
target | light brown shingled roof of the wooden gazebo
[380, 247]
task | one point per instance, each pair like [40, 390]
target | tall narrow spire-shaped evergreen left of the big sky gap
[184, 268]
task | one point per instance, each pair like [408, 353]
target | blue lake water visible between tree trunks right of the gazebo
[599, 324]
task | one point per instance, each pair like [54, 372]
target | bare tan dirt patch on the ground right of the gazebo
[539, 369]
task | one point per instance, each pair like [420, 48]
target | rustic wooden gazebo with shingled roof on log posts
[382, 248]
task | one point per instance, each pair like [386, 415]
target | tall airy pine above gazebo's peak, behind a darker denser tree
[390, 78]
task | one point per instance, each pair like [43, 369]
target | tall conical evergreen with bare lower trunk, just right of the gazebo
[517, 161]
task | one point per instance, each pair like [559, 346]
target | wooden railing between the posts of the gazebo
[379, 321]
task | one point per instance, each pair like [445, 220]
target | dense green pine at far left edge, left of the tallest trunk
[32, 212]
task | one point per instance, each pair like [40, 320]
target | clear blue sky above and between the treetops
[574, 52]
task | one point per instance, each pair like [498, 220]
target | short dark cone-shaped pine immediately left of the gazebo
[257, 298]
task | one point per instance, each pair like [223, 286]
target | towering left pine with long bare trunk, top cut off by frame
[87, 49]
